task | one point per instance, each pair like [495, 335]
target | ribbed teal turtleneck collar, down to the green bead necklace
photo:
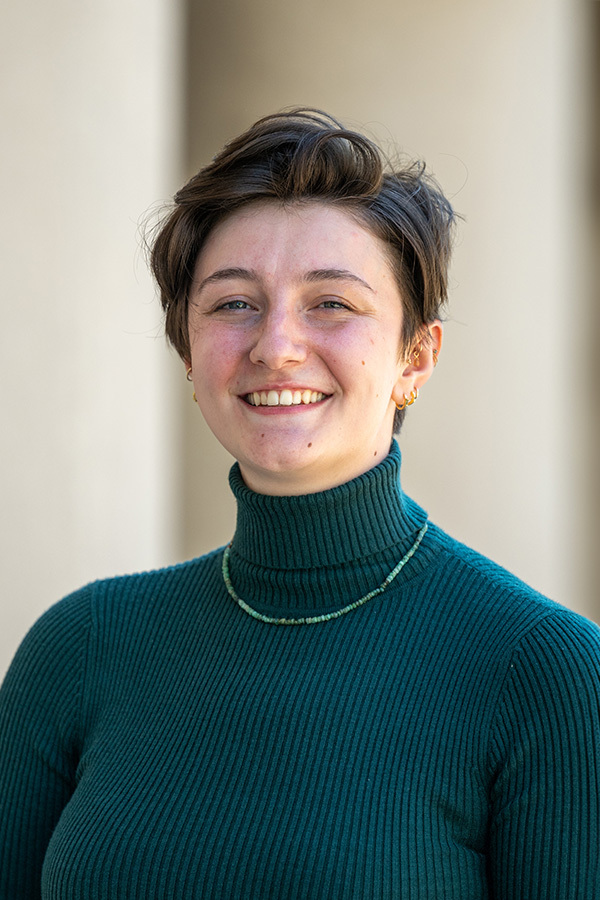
[320, 551]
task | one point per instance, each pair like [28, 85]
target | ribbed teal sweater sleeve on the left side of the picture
[39, 741]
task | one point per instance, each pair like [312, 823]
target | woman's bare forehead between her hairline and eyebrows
[293, 237]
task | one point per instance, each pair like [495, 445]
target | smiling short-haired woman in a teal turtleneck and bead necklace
[345, 703]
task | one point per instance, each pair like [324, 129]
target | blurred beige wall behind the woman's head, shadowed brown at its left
[493, 96]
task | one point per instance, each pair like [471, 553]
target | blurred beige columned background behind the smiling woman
[107, 107]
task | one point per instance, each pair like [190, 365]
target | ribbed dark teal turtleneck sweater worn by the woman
[439, 742]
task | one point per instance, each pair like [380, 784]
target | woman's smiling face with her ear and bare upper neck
[295, 327]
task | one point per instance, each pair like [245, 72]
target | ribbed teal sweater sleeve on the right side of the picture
[545, 824]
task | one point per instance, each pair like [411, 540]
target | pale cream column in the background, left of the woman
[89, 112]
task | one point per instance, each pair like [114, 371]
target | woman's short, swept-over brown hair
[301, 155]
